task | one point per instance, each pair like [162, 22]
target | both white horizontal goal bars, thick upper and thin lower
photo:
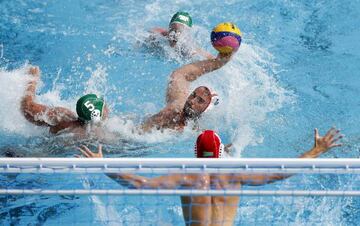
[180, 165]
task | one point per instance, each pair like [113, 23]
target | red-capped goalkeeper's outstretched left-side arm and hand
[135, 181]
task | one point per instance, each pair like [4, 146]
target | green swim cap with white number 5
[90, 108]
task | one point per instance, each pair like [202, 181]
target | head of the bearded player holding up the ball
[199, 101]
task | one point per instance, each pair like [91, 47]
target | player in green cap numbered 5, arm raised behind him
[90, 109]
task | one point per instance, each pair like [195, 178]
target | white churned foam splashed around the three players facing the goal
[248, 91]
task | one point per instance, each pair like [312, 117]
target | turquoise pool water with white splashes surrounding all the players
[297, 69]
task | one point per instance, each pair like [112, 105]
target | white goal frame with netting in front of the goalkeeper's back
[313, 191]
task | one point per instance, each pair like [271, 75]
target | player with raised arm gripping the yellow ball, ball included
[181, 106]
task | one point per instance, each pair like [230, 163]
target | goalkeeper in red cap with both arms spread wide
[213, 210]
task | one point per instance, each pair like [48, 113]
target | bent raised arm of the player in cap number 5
[40, 114]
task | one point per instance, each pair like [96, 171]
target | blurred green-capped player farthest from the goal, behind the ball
[179, 29]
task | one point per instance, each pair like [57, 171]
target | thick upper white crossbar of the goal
[179, 165]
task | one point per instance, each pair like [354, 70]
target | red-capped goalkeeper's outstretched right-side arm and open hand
[321, 145]
